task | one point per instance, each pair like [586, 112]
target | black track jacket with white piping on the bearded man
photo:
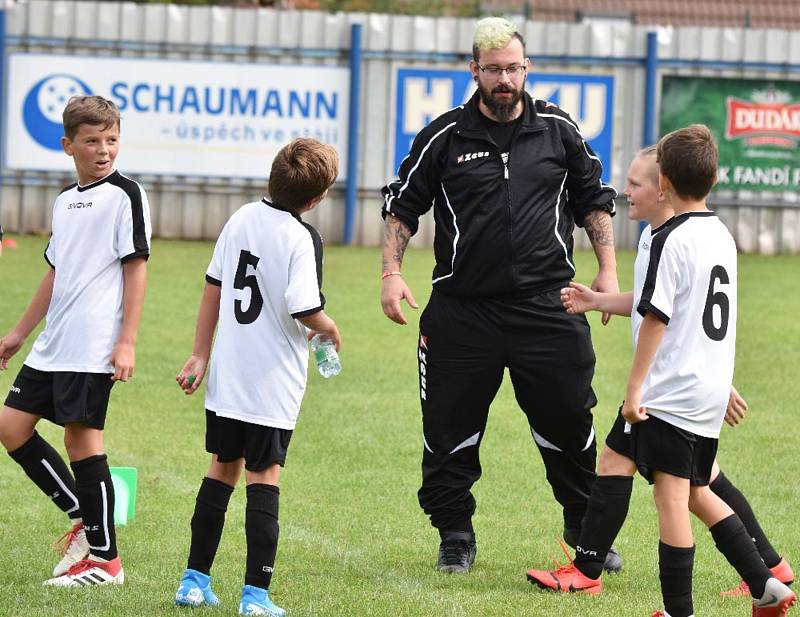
[500, 230]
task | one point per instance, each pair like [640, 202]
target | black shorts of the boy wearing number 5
[260, 446]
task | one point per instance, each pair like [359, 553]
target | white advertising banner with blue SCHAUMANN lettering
[178, 117]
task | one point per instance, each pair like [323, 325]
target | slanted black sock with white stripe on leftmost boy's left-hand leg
[49, 472]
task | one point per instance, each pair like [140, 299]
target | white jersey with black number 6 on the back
[685, 275]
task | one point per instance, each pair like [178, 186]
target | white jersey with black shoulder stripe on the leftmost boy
[96, 228]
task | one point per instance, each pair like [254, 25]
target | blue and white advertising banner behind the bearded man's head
[423, 94]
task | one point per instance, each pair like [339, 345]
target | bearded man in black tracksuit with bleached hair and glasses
[508, 177]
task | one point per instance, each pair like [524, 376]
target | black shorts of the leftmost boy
[62, 397]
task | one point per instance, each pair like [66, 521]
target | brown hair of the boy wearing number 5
[301, 172]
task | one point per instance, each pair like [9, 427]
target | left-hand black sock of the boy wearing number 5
[207, 523]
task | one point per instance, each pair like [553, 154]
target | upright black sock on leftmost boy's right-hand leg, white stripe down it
[96, 496]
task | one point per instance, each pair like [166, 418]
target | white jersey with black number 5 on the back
[269, 264]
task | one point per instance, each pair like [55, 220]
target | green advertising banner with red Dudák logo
[756, 124]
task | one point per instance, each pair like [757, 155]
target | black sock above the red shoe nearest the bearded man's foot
[605, 514]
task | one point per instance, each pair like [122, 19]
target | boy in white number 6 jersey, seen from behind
[684, 335]
